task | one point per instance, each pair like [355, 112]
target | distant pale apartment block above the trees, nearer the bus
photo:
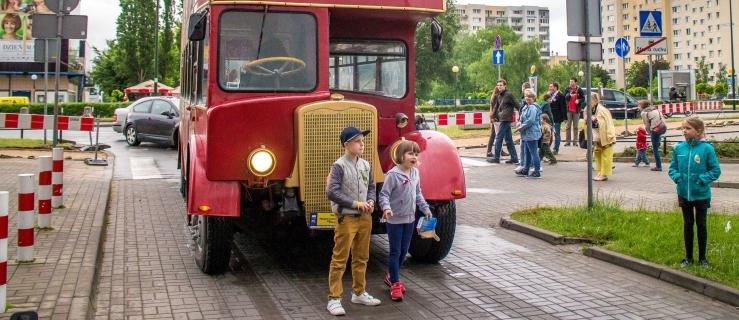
[527, 21]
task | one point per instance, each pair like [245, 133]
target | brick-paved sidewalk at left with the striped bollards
[58, 284]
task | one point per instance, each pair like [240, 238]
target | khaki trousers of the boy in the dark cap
[352, 235]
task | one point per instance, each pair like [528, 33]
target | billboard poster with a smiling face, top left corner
[16, 36]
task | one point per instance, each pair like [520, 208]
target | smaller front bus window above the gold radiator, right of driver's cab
[374, 67]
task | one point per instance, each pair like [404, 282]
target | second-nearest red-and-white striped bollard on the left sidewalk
[25, 218]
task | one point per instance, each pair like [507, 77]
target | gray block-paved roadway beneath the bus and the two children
[148, 271]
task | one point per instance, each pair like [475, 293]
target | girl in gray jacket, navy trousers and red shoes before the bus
[400, 195]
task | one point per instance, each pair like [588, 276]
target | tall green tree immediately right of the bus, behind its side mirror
[435, 66]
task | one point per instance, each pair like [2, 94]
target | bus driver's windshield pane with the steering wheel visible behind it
[272, 51]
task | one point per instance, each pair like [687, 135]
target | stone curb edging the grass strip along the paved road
[705, 287]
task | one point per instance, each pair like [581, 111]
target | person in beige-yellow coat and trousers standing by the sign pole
[604, 138]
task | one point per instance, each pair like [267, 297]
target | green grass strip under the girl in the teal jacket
[649, 235]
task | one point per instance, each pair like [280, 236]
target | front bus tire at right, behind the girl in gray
[430, 250]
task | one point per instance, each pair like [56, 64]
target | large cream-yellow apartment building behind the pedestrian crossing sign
[694, 30]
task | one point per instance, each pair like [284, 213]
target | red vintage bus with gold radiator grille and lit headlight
[266, 88]
